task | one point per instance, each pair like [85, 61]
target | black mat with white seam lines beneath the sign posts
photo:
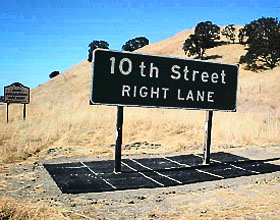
[98, 176]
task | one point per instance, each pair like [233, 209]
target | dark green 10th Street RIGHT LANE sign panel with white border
[130, 79]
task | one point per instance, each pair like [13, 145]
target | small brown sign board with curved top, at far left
[17, 93]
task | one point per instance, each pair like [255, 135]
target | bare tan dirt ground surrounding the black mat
[245, 197]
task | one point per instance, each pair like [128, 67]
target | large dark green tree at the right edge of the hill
[263, 43]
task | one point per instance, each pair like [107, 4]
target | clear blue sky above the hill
[40, 36]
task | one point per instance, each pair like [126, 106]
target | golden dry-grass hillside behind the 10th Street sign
[60, 121]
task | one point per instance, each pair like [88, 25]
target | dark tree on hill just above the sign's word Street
[204, 37]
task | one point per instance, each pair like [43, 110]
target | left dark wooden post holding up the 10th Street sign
[118, 146]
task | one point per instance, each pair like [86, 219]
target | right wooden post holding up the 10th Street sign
[207, 140]
